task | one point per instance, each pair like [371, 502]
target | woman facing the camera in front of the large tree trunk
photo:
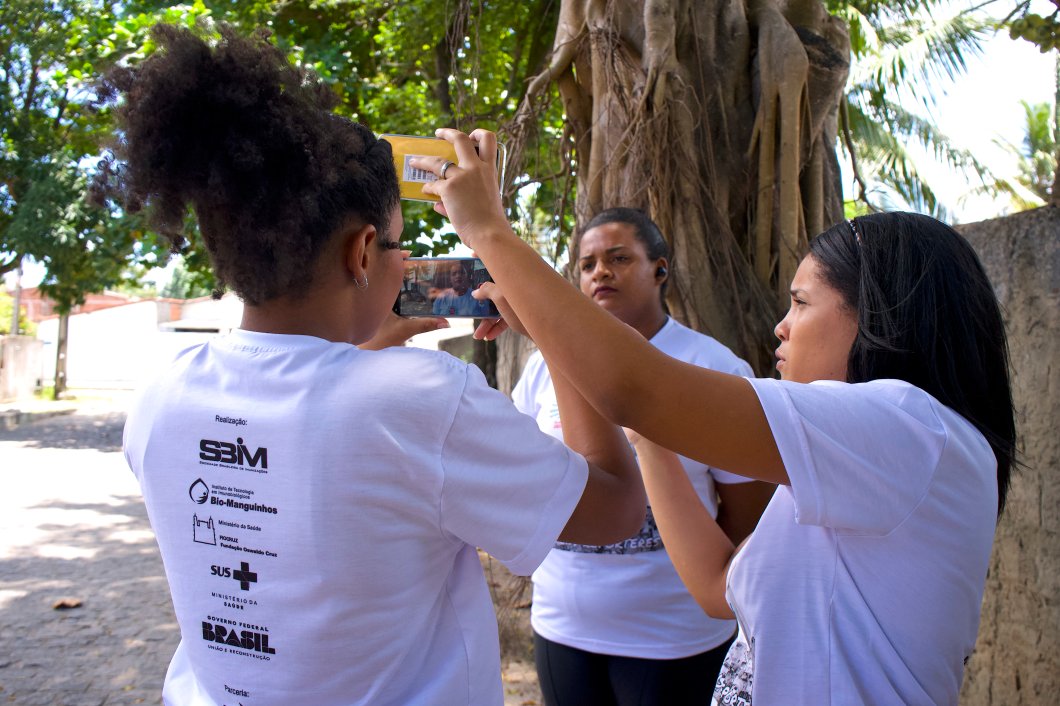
[613, 624]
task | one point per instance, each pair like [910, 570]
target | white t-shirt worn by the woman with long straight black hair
[863, 583]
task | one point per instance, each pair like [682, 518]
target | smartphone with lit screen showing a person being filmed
[443, 287]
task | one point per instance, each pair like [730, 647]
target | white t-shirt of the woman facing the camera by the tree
[627, 599]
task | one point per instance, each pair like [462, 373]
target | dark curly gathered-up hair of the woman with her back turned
[248, 140]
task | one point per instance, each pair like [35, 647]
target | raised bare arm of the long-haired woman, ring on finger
[629, 381]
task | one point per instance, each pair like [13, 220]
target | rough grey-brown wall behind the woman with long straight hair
[1017, 658]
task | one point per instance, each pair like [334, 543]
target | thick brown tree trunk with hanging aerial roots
[720, 119]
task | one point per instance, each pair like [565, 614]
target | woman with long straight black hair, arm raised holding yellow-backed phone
[891, 437]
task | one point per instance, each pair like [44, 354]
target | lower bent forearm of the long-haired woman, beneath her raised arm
[697, 545]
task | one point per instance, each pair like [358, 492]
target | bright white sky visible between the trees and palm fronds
[981, 107]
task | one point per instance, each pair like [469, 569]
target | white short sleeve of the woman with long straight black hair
[859, 457]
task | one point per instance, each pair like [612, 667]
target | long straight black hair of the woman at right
[927, 314]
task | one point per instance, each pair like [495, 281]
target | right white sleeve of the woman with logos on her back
[509, 488]
